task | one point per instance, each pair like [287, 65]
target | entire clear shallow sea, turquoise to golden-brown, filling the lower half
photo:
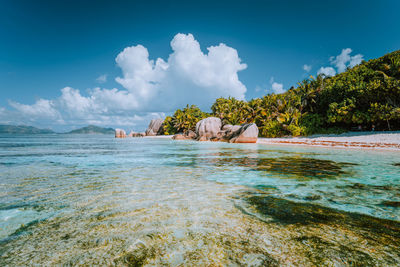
[98, 200]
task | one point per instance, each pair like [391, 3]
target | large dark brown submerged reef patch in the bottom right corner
[328, 237]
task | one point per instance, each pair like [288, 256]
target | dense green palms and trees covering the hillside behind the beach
[366, 95]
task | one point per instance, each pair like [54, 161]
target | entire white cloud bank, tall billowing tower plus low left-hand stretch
[150, 88]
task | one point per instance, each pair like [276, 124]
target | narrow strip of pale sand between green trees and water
[365, 140]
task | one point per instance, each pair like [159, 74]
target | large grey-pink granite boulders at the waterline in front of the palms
[211, 129]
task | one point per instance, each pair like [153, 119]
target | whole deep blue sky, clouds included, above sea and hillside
[50, 46]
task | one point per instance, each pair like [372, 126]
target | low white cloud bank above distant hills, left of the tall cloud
[102, 107]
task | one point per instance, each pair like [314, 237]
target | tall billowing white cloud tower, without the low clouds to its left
[189, 76]
